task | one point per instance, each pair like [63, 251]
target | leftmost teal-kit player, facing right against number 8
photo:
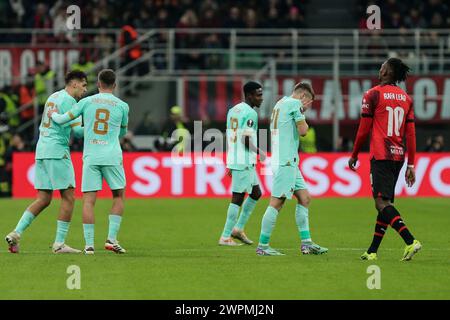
[54, 169]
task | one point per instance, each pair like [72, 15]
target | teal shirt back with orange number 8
[103, 115]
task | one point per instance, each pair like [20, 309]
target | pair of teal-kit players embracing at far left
[105, 119]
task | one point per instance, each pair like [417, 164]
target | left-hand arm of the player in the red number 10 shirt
[365, 125]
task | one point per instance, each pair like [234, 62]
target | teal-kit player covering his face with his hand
[287, 123]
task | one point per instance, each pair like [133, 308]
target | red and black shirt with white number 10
[391, 107]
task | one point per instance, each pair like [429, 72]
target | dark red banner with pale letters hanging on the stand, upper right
[211, 99]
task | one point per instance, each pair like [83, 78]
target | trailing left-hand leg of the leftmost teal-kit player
[43, 200]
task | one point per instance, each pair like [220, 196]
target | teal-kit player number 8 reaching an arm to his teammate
[105, 122]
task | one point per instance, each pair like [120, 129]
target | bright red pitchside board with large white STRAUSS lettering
[161, 175]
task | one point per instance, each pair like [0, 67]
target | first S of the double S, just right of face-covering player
[308, 166]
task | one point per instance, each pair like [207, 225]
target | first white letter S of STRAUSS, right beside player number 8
[153, 181]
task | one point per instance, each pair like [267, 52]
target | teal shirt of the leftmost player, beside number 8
[53, 142]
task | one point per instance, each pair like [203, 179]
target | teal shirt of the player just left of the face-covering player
[242, 120]
